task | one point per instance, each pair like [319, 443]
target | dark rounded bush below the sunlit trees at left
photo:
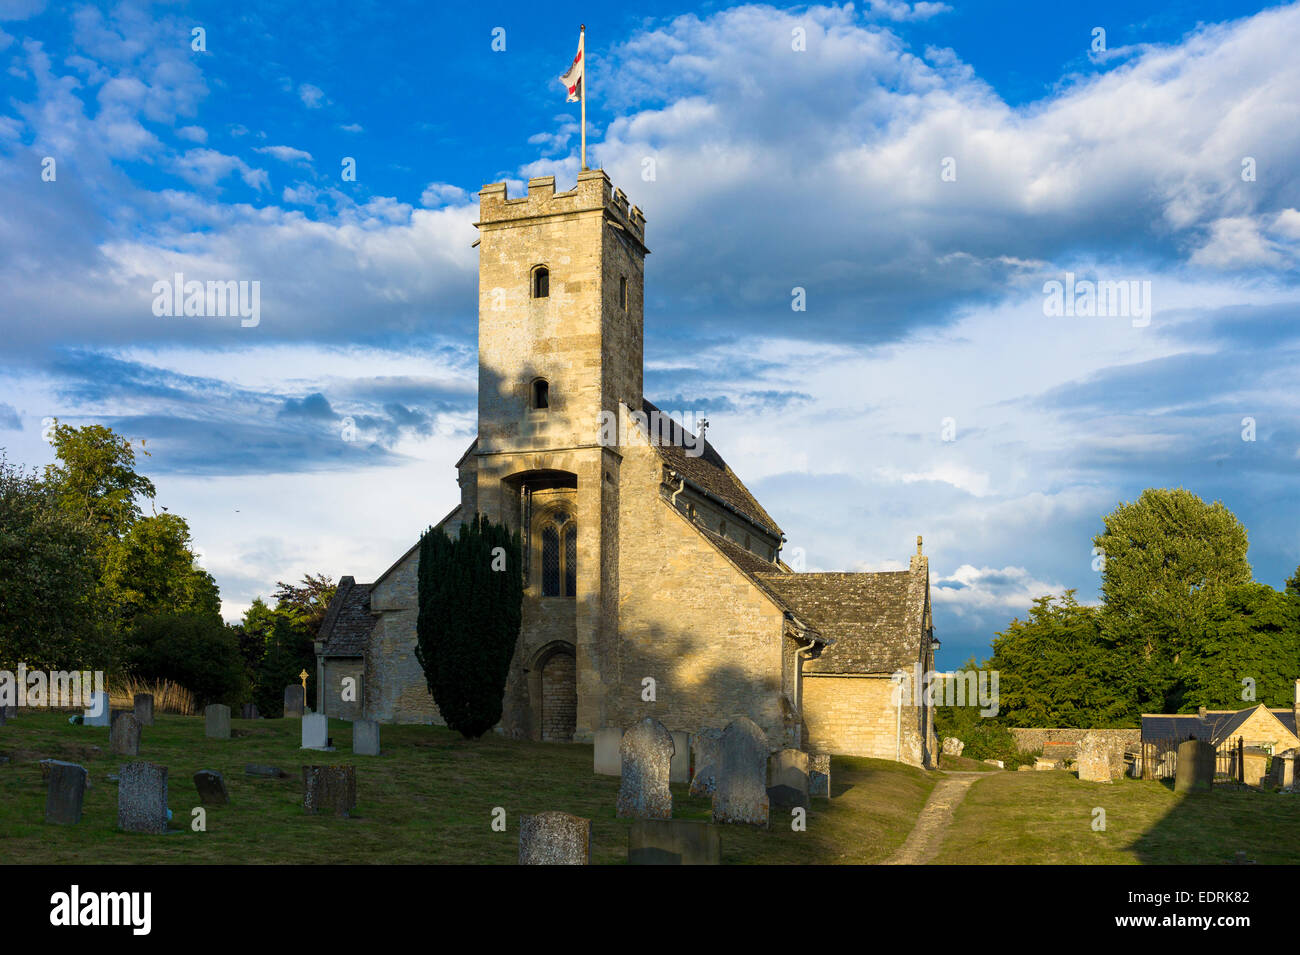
[197, 652]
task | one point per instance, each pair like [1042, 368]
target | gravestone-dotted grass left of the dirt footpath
[427, 800]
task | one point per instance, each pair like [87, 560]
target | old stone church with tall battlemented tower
[655, 580]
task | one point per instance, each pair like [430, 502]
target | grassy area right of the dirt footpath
[1047, 818]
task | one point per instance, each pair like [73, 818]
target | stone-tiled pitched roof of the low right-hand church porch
[869, 617]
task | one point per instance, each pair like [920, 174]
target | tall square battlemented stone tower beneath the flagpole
[561, 283]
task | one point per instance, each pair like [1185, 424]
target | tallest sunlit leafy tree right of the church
[1169, 558]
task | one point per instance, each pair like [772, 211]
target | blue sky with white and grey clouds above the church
[774, 168]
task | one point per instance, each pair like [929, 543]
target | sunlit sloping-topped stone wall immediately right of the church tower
[690, 620]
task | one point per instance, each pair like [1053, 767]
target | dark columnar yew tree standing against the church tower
[471, 607]
